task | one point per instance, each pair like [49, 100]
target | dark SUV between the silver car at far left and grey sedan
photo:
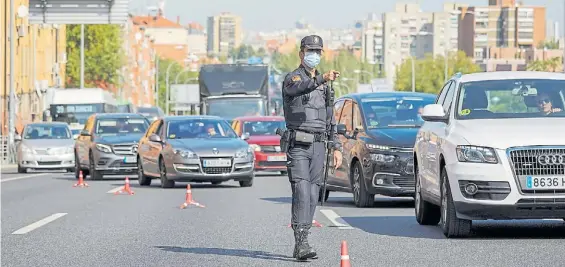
[108, 144]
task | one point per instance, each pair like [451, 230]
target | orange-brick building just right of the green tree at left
[137, 84]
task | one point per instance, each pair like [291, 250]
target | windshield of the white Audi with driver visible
[513, 98]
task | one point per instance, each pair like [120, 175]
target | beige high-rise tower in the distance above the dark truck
[224, 33]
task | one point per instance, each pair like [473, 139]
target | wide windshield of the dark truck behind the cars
[229, 108]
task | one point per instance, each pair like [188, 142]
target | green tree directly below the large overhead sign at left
[103, 55]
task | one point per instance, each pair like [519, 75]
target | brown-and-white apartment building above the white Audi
[503, 23]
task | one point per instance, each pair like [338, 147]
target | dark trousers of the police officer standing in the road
[305, 171]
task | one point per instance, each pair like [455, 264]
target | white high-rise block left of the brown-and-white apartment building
[409, 32]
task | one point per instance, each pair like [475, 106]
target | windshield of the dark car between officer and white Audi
[394, 111]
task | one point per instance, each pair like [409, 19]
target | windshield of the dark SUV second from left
[116, 126]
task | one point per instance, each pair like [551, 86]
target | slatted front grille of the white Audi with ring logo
[525, 162]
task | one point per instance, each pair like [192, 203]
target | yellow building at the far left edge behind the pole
[40, 58]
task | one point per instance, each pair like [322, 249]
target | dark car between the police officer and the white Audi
[377, 148]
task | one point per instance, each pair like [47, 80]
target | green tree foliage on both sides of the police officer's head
[344, 62]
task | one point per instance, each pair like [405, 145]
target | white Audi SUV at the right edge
[492, 147]
